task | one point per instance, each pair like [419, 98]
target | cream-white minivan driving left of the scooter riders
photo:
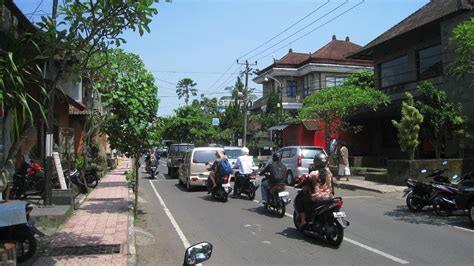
[193, 171]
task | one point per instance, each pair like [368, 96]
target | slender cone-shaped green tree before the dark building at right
[409, 127]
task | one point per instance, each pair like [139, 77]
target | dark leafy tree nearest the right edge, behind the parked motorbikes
[442, 119]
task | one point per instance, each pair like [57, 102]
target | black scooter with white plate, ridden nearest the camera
[326, 220]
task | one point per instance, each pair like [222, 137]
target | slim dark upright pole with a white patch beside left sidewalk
[50, 127]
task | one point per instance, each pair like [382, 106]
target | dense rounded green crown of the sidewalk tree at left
[129, 93]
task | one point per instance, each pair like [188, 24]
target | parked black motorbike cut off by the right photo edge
[465, 197]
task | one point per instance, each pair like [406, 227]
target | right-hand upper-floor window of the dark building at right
[429, 62]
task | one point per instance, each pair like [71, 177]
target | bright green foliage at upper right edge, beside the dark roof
[463, 37]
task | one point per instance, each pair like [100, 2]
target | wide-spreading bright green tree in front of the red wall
[335, 106]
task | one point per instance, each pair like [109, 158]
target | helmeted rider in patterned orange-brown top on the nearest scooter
[317, 187]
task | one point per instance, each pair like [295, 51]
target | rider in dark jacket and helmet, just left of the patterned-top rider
[277, 172]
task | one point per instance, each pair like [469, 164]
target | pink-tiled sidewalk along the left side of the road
[97, 233]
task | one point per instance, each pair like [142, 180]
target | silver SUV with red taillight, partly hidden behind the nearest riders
[298, 159]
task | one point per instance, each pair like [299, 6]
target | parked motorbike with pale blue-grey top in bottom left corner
[16, 226]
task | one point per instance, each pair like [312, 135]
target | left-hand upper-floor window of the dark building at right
[395, 71]
